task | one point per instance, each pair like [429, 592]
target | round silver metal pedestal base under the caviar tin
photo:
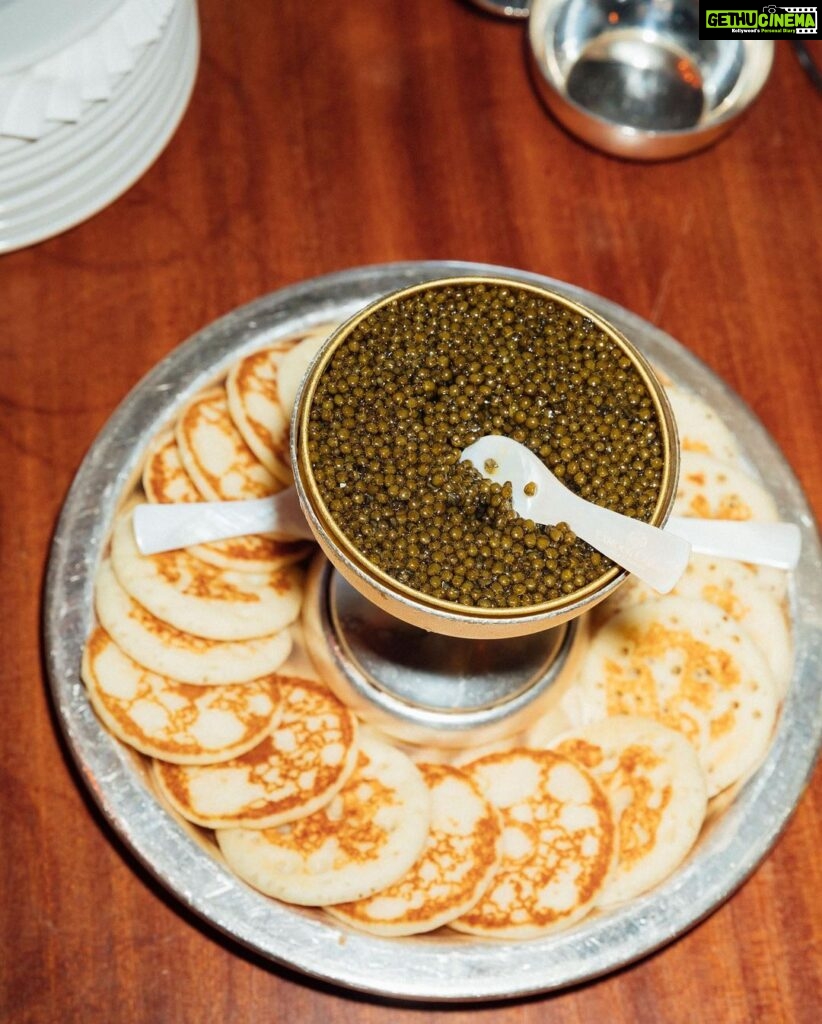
[423, 688]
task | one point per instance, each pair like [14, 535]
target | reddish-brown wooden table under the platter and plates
[329, 136]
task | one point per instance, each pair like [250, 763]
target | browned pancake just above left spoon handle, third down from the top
[215, 455]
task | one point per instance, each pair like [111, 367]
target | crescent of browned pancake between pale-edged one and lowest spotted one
[460, 859]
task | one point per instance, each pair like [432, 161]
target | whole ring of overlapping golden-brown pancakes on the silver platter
[196, 663]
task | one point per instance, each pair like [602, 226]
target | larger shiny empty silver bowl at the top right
[633, 78]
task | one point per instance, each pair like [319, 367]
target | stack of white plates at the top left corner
[91, 94]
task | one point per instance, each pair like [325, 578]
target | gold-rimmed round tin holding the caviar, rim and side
[422, 610]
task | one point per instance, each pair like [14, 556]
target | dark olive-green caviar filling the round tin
[424, 376]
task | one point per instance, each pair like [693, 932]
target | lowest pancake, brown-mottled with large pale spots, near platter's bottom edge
[559, 844]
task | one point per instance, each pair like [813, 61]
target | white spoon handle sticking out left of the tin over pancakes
[163, 528]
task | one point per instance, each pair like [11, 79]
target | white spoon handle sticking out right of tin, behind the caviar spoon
[775, 544]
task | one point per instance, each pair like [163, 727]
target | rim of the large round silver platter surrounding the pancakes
[443, 966]
